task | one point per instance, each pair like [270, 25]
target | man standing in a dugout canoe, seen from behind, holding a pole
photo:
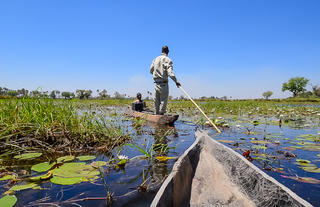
[160, 69]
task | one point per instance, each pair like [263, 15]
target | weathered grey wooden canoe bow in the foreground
[211, 174]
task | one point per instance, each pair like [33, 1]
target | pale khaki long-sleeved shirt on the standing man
[161, 68]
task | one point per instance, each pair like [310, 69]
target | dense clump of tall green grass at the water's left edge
[45, 123]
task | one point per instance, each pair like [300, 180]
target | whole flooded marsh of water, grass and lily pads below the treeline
[87, 152]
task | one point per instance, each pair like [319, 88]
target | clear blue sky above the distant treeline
[238, 48]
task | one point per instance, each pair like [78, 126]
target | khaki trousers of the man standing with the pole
[161, 97]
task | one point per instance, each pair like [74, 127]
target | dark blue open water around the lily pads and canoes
[123, 183]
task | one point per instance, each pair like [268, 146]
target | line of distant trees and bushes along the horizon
[295, 85]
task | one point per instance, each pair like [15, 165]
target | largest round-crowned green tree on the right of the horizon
[295, 85]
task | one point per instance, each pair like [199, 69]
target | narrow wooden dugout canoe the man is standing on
[158, 119]
